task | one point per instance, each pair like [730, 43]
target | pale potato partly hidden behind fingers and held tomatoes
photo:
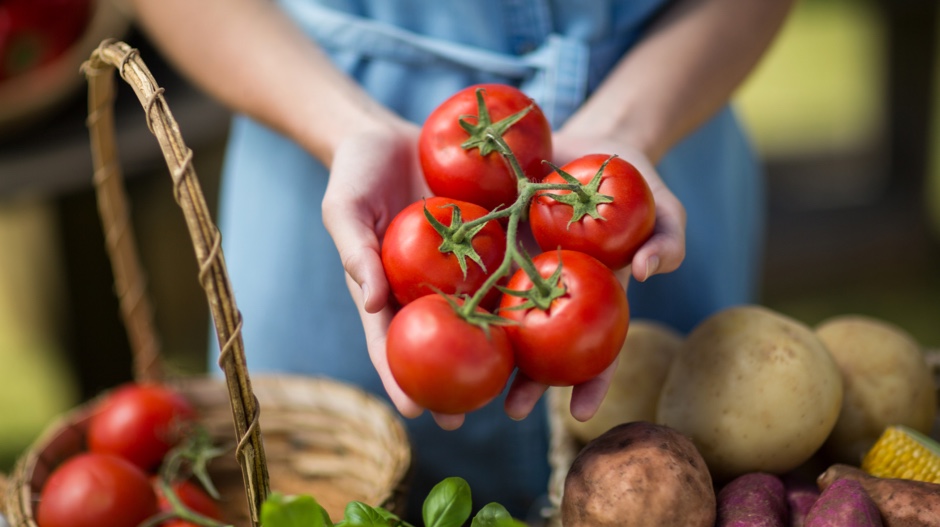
[634, 389]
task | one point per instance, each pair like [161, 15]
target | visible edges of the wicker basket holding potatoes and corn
[564, 447]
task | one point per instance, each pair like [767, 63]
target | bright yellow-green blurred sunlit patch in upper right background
[819, 88]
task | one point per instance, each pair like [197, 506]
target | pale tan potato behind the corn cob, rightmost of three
[886, 379]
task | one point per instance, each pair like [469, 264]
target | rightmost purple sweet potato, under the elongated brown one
[844, 504]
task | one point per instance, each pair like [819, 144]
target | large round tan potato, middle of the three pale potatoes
[756, 391]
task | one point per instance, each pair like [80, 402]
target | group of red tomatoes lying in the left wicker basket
[114, 480]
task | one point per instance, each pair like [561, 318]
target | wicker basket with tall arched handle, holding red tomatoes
[321, 437]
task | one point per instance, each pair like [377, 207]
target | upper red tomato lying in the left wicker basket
[140, 422]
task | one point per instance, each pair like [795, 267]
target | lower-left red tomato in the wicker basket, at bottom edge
[92, 490]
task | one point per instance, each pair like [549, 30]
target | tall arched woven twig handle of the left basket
[128, 275]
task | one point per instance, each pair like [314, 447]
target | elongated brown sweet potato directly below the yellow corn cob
[902, 502]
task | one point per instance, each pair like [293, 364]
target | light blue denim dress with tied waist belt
[411, 55]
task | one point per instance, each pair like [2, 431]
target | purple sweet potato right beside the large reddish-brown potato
[755, 499]
